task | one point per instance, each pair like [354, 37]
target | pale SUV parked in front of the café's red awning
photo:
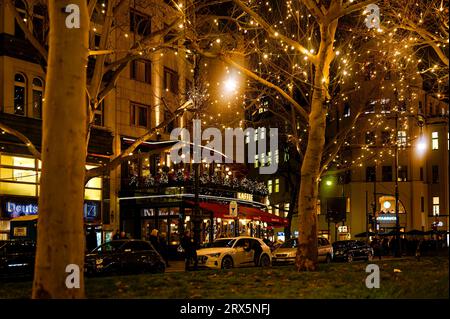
[227, 253]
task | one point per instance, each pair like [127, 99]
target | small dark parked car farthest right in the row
[349, 250]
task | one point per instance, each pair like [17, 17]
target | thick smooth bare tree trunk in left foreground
[60, 226]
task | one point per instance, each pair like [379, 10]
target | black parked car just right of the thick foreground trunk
[124, 257]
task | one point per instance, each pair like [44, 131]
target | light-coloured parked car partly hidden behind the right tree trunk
[286, 253]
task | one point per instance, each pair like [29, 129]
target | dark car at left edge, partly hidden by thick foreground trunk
[17, 259]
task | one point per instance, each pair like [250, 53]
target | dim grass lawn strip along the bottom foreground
[427, 278]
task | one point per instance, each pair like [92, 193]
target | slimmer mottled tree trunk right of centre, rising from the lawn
[310, 169]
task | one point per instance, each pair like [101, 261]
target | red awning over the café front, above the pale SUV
[248, 212]
